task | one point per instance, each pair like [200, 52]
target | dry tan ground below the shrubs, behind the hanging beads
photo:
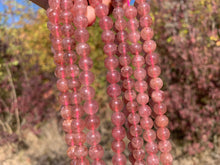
[50, 149]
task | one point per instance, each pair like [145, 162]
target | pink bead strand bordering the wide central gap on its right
[113, 77]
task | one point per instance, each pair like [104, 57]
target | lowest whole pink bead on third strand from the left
[96, 152]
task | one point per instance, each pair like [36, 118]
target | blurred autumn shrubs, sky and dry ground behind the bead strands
[187, 33]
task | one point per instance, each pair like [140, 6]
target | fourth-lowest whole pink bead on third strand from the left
[91, 107]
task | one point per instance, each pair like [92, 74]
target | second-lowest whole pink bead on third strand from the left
[93, 137]
